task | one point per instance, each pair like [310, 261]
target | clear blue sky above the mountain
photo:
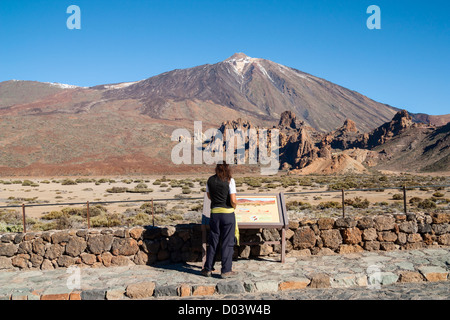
[405, 64]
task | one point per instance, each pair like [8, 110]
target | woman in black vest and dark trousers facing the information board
[221, 190]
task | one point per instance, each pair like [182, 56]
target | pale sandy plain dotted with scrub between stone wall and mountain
[51, 191]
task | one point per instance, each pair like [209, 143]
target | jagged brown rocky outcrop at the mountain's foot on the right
[305, 150]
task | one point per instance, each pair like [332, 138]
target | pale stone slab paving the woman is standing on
[409, 274]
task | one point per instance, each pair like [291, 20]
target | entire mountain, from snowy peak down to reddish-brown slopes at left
[58, 129]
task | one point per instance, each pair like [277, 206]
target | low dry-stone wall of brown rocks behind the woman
[182, 243]
